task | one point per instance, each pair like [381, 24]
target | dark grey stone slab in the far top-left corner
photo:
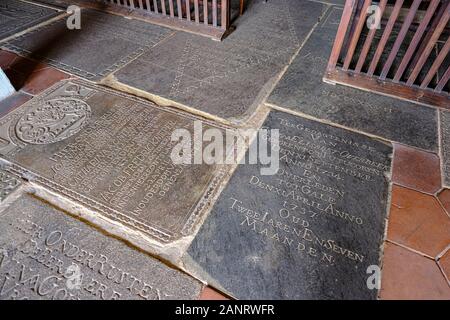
[17, 16]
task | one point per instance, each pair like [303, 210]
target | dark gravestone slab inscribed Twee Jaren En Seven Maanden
[308, 232]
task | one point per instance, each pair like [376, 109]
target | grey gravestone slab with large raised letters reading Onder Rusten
[47, 254]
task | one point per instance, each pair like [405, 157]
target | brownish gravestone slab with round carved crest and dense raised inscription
[110, 152]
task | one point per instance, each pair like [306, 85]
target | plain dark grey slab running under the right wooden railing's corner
[302, 90]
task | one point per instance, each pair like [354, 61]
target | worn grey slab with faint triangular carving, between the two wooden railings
[226, 79]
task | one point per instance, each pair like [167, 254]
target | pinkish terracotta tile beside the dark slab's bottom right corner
[407, 275]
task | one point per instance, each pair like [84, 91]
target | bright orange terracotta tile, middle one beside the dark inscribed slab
[418, 221]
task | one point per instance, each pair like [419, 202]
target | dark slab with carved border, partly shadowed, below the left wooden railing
[104, 43]
